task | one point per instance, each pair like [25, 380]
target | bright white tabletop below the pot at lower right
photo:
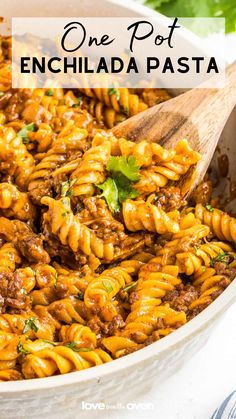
[198, 387]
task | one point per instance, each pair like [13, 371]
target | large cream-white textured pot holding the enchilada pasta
[123, 379]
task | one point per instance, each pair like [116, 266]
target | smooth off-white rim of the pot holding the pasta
[154, 350]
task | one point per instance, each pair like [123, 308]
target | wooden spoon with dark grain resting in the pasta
[198, 115]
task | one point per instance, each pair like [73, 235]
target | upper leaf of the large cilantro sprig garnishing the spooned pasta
[127, 166]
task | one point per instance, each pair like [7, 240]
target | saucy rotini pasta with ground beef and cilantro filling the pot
[100, 254]
